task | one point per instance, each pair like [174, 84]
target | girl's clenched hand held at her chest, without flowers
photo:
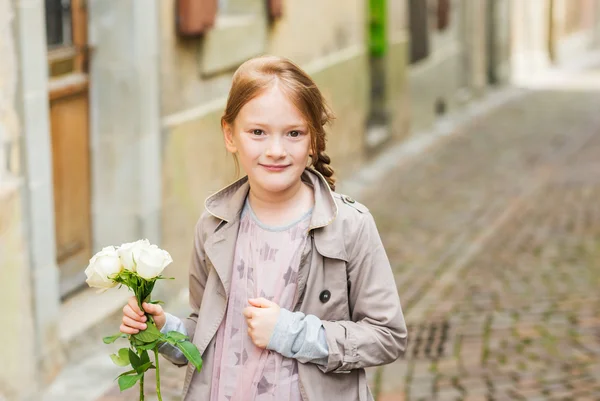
[261, 317]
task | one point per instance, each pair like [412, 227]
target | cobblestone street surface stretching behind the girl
[494, 236]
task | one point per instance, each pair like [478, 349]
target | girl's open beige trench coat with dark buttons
[345, 279]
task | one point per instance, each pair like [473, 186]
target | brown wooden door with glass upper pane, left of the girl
[66, 29]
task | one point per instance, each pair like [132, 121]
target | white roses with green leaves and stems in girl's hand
[138, 265]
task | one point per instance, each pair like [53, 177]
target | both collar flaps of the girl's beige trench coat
[227, 203]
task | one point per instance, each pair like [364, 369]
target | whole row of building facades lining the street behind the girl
[110, 122]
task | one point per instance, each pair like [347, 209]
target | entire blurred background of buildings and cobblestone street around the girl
[469, 127]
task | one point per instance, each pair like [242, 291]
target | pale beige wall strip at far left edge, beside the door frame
[18, 352]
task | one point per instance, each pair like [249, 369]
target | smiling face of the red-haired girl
[271, 139]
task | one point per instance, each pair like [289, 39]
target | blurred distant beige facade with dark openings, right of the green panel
[459, 48]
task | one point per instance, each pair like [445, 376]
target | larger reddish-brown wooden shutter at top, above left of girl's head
[195, 17]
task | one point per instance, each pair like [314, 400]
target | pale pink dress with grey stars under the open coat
[266, 265]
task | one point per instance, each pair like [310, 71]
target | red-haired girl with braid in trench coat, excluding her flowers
[291, 290]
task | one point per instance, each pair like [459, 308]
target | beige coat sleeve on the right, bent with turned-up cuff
[377, 333]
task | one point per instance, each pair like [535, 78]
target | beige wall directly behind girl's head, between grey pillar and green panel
[325, 38]
